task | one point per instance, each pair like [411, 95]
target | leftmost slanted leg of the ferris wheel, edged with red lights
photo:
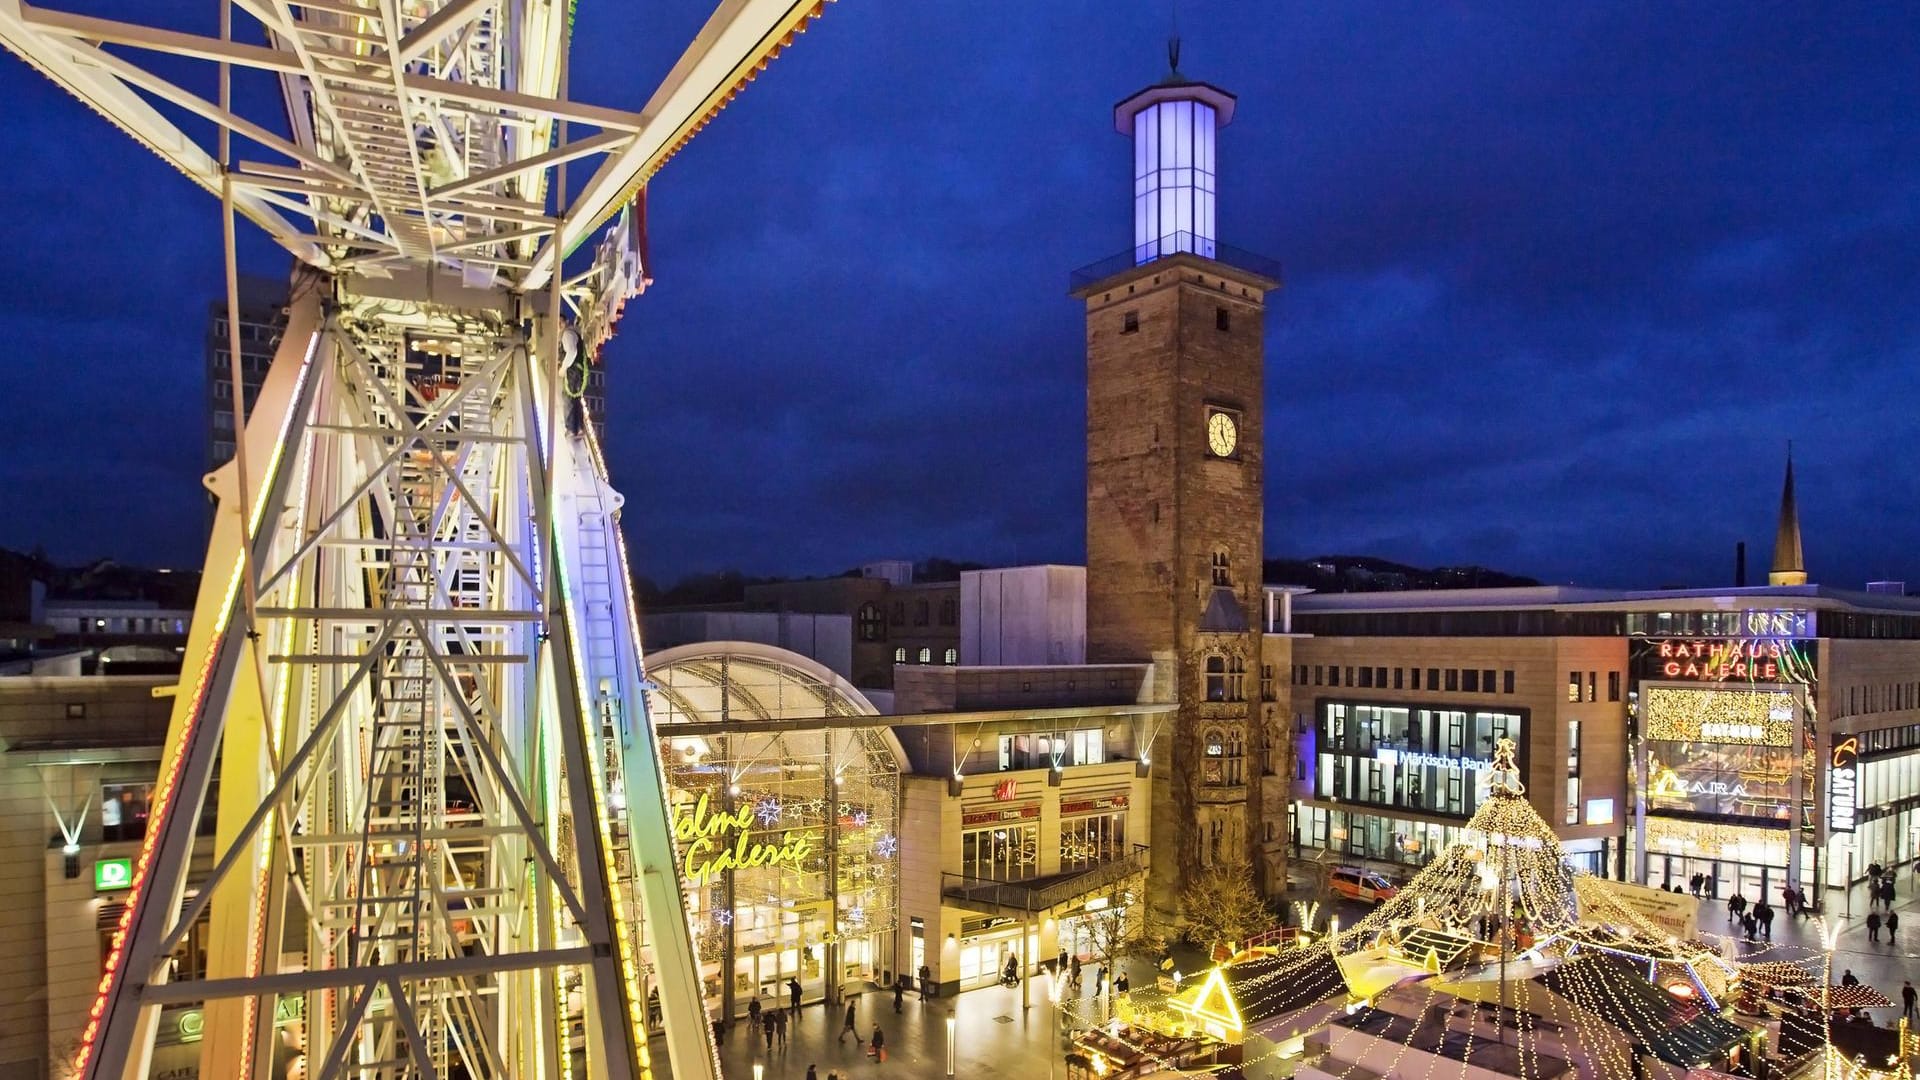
[120, 1031]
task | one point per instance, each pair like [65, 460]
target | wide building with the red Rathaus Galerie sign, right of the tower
[1750, 735]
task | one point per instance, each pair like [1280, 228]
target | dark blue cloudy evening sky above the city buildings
[1562, 283]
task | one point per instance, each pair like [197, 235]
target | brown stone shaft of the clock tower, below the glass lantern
[1174, 537]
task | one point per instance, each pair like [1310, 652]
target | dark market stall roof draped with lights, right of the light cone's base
[1679, 1033]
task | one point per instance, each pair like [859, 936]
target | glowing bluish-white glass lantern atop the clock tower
[1172, 126]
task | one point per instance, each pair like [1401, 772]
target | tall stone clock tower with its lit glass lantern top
[1174, 485]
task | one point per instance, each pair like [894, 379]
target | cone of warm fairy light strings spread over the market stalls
[1510, 860]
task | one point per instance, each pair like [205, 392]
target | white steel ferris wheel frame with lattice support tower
[416, 658]
